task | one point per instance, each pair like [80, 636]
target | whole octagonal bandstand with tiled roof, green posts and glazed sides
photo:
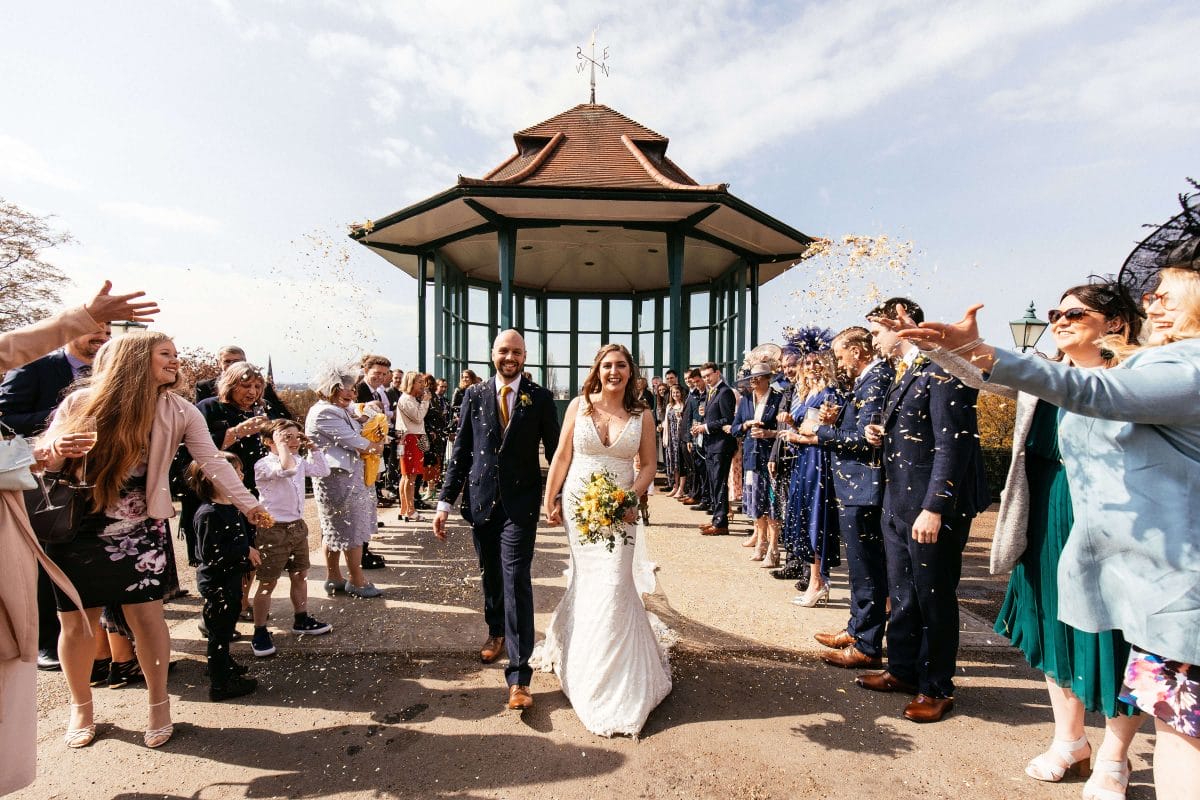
[587, 234]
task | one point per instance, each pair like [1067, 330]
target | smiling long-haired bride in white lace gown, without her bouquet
[603, 643]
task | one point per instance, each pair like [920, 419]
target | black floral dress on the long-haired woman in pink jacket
[119, 556]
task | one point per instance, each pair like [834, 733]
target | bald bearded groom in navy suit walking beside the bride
[496, 465]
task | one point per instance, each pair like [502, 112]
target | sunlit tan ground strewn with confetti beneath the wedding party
[395, 703]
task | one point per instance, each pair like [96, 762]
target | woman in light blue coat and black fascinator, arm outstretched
[1131, 446]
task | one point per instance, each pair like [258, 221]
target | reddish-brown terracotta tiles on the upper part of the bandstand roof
[595, 147]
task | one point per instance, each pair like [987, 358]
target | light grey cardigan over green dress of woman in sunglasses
[1010, 540]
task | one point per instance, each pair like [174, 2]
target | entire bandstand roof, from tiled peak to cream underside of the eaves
[591, 195]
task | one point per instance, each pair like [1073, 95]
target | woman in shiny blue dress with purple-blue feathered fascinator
[811, 527]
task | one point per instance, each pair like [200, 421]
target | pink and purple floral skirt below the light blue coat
[1171, 690]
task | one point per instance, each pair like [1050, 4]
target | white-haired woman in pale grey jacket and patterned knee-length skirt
[345, 507]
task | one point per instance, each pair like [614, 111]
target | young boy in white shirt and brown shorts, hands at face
[285, 546]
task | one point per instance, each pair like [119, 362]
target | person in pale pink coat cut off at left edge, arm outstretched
[20, 551]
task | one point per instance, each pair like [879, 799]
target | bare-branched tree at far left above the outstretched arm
[29, 285]
